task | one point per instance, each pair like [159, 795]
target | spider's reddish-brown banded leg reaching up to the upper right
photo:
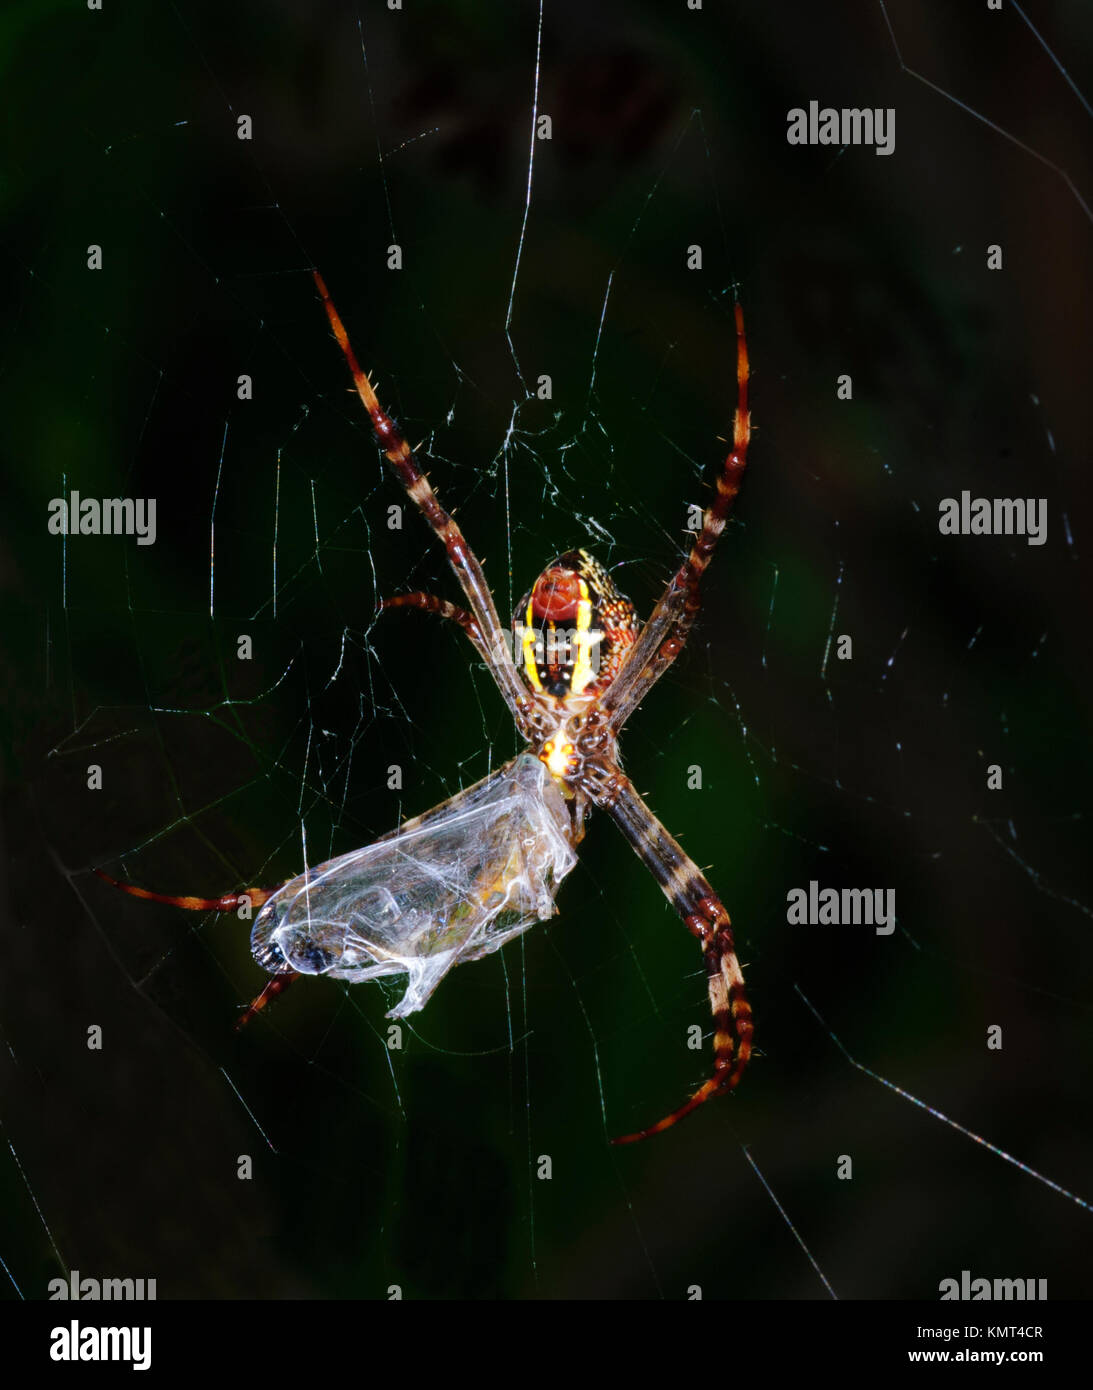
[663, 639]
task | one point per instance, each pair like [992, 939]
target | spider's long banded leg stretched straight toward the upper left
[461, 557]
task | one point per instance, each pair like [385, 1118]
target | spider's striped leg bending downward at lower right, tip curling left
[692, 896]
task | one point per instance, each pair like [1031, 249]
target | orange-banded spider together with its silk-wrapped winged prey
[457, 883]
